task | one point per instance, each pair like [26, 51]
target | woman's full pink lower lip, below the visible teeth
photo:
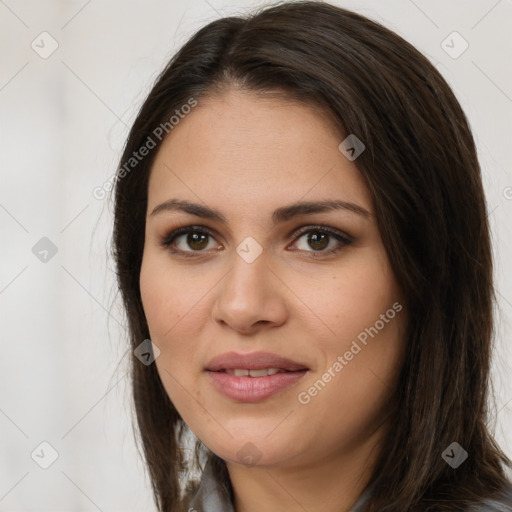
[253, 389]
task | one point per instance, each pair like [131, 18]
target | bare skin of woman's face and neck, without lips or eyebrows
[247, 155]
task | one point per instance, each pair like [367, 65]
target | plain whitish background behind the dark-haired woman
[64, 120]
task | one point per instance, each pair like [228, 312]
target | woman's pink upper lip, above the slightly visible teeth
[252, 361]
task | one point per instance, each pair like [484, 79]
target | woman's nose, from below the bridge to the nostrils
[250, 297]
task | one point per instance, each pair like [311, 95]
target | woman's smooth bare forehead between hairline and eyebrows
[241, 147]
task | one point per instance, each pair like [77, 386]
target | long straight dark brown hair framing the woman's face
[421, 168]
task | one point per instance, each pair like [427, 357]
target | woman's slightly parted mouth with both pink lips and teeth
[253, 377]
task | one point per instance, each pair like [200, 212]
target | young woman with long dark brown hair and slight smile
[301, 232]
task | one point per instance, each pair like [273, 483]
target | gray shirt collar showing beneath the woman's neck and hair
[209, 499]
